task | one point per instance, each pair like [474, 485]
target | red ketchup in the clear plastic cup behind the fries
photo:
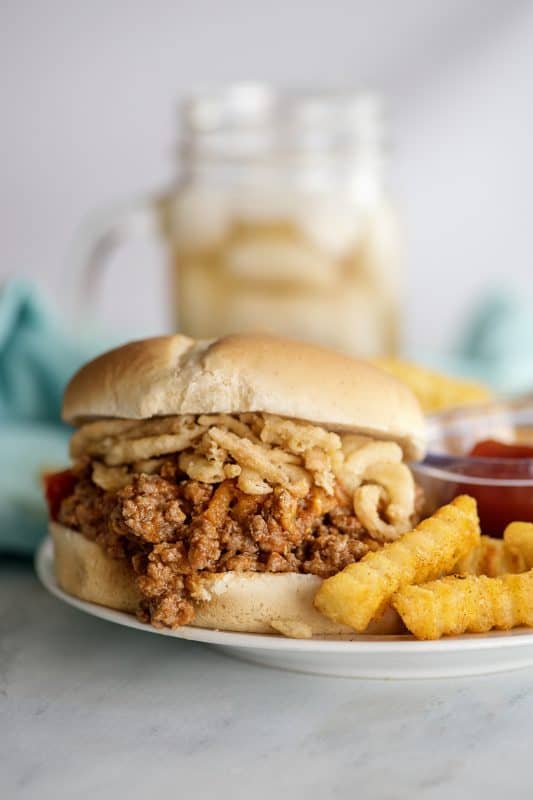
[500, 505]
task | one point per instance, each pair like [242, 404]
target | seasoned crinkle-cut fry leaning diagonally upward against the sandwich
[361, 591]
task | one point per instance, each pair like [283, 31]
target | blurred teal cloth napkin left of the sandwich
[38, 355]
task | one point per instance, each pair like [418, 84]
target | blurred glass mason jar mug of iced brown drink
[280, 220]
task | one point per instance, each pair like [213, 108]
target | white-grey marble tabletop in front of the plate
[88, 709]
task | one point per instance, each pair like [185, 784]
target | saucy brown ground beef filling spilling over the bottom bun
[172, 529]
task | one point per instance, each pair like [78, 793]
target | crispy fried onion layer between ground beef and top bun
[260, 451]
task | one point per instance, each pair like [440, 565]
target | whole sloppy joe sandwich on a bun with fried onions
[218, 483]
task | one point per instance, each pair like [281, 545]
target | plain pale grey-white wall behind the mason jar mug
[89, 118]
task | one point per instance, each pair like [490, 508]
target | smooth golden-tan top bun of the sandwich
[170, 375]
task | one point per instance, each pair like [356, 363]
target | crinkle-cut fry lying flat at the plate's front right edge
[469, 604]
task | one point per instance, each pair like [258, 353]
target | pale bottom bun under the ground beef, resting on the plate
[247, 602]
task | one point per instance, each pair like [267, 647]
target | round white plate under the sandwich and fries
[357, 657]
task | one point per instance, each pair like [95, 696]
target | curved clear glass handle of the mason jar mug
[103, 233]
